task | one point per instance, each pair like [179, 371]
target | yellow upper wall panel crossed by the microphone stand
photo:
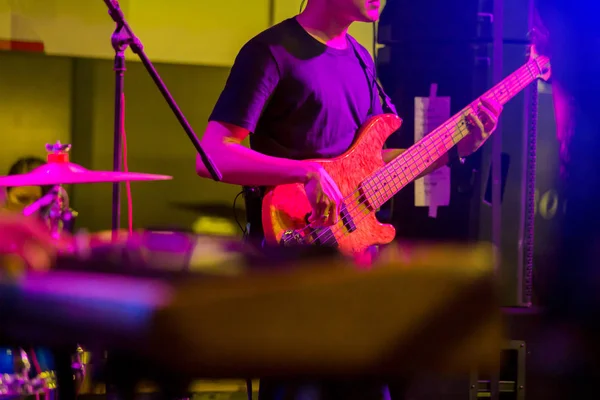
[174, 31]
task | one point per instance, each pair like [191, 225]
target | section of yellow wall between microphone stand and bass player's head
[197, 32]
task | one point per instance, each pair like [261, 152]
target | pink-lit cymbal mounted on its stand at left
[64, 173]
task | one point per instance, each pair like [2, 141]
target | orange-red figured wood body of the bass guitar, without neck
[286, 207]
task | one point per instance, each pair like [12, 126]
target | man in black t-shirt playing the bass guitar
[299, 88]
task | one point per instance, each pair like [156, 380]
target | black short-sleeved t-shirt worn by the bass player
[300, 98]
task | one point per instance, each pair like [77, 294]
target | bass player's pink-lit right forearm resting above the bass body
[240, 165]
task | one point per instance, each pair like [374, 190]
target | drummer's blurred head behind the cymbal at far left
[17, 198]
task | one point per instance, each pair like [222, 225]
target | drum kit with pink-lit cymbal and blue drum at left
[23, 372]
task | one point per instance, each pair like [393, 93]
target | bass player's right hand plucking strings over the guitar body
[324, 196]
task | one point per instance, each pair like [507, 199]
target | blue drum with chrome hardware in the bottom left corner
[25, 373]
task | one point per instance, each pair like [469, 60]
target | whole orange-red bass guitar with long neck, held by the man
[366, 182]
